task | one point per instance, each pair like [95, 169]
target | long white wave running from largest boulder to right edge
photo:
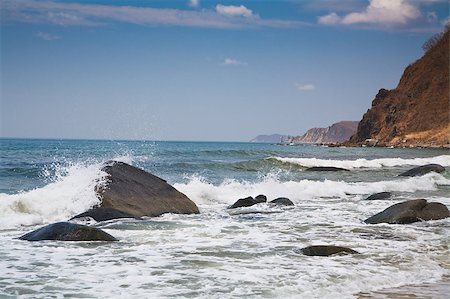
[203, 192]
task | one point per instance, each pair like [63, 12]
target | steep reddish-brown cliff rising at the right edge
[416, 112]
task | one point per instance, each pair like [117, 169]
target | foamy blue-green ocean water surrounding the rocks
[244, 253]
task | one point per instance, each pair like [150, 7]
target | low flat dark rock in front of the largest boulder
[66, 231]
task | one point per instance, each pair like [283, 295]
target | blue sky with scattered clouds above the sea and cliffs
[201, 70]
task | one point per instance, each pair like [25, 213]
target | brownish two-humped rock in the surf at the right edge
[410, 211]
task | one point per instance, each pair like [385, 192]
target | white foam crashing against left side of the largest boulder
[71, 192]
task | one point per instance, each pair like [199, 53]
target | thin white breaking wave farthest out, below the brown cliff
[443, 160]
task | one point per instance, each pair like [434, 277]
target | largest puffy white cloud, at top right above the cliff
[386, 12]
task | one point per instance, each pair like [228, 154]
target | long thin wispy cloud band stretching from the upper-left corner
[77, 14]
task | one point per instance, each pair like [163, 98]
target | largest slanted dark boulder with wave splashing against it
[138, 193]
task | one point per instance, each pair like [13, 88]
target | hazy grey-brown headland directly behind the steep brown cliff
[336, 133]
